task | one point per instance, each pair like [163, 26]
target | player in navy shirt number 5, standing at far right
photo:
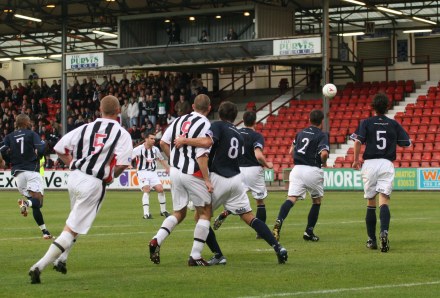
[381, 136]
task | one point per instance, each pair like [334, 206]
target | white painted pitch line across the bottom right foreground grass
[331, 291]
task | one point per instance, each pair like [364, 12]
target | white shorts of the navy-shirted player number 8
[230, 193]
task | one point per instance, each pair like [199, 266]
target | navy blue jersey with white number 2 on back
[308, 145]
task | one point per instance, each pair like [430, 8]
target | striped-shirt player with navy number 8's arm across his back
[189, 179]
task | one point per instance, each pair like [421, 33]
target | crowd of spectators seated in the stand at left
[149, 102]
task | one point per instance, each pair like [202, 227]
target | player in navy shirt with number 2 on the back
[310, 152]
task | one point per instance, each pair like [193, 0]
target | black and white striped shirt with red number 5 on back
[97, 147]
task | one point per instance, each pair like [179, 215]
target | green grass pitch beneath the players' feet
[112, 260]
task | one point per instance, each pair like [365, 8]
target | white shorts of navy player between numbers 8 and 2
[253, 180]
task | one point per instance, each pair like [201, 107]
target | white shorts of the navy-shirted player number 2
[306, 178]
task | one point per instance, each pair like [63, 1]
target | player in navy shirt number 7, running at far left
[24, 149]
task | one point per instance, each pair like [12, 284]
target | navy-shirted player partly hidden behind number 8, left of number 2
[253, 162]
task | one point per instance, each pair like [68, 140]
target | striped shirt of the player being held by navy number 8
[193, 125]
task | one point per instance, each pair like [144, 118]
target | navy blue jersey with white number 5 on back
[381, 136]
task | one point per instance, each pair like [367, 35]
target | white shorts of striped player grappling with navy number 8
[184, 186]
